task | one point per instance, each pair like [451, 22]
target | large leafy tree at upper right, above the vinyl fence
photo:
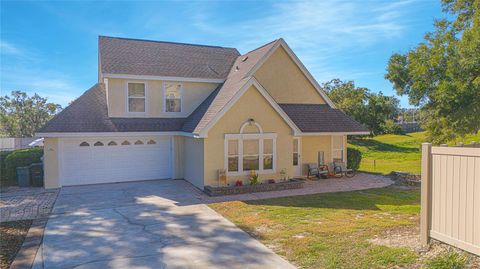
[442, 74]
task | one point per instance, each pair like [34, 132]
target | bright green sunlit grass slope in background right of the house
[387, 153]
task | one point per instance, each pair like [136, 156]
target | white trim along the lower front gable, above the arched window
[252, 81]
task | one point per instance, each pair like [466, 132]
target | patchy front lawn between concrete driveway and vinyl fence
[331, 230]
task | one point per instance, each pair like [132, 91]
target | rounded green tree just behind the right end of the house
[371, 109]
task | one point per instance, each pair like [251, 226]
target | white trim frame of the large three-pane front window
[240, 138]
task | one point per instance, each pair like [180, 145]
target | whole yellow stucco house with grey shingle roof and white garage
[164, 110]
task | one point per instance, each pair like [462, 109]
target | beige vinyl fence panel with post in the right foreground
[451, 196]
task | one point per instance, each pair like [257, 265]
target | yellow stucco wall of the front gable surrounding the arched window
[251, 105]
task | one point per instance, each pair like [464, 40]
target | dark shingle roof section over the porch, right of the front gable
[321, 118]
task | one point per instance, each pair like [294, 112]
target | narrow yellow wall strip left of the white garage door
[50, 160]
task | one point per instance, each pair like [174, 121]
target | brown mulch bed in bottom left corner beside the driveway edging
[12, 234]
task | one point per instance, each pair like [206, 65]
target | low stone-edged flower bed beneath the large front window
[231, 190]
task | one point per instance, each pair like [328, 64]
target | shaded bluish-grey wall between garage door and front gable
[194, 160]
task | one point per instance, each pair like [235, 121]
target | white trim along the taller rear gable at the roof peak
[311, 79]
